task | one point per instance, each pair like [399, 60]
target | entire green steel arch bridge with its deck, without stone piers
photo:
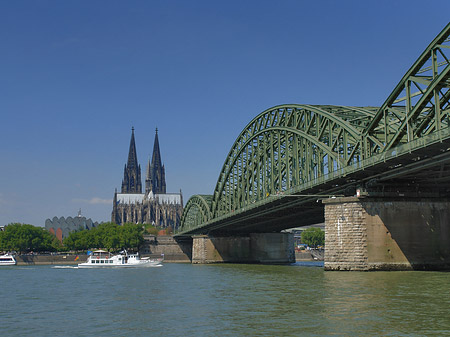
[289, 156]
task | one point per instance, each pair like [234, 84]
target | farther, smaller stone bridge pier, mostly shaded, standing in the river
[270, 248]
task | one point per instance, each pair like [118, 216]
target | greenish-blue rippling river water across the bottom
[222, 300]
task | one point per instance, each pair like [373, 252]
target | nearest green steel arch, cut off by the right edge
[419, 104]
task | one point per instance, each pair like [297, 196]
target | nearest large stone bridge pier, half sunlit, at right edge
[387, 234]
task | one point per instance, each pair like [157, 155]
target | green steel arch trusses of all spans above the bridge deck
[289, 148]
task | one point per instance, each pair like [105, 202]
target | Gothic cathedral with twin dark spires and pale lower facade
[155, 206]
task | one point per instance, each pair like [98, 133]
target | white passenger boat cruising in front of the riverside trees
[103, 259]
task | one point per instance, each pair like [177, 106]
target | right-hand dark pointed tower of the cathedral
[156, 176]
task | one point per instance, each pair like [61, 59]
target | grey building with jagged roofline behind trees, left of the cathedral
[62, 227]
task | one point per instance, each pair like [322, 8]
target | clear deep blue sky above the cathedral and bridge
[76, 76]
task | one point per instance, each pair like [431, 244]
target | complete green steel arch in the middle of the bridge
[283, 147]
